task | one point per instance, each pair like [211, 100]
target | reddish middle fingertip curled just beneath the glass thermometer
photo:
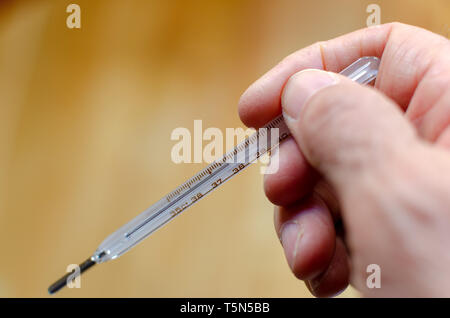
[294, 178]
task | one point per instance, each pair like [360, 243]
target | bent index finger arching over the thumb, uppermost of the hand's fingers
[407, 54]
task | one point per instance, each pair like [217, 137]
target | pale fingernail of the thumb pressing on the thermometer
[300, 87]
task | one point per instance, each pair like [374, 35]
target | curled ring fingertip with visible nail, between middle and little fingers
[306, 231]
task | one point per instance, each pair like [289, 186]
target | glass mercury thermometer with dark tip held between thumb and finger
[208, 180]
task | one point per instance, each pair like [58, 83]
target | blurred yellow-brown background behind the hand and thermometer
[85, 123]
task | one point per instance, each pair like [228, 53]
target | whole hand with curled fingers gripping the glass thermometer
[374, 162]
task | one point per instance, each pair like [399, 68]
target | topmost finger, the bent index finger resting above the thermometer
[414, 71]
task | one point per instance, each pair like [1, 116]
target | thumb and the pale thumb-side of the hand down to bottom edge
[392, 186]
